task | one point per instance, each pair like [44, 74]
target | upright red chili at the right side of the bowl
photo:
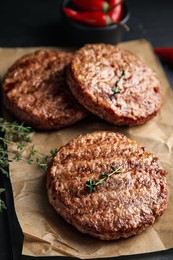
[116, 12]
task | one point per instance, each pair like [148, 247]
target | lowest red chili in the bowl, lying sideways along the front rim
[91, 18]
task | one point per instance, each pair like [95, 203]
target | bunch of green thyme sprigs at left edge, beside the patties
[18, 135]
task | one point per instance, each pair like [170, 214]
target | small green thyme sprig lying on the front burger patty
[91, 185]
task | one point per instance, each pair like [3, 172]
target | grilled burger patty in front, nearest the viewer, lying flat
[124, 204]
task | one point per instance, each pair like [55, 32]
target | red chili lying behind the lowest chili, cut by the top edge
[91, 5]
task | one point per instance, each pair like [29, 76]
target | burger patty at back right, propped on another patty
[114, 84]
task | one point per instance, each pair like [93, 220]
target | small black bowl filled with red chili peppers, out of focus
[95, 21]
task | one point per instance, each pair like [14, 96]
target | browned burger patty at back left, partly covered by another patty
[35, 91]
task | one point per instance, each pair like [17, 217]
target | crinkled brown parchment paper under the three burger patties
[46, 233]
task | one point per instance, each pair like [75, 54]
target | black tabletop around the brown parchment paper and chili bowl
[38, 23]
